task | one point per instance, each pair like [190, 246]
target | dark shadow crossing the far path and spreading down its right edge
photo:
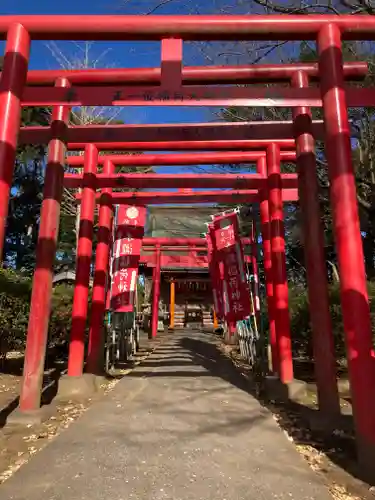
[293, 417]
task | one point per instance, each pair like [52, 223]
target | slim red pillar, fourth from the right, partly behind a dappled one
[267, 263]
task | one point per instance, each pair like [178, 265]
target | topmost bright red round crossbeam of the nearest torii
[191, 27]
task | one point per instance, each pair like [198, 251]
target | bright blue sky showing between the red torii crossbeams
[127, 54]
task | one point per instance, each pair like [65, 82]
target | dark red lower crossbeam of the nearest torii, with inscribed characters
[189, 95]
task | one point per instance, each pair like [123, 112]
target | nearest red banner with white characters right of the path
[236, 295]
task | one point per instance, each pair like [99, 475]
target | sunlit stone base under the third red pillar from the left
[82, 387]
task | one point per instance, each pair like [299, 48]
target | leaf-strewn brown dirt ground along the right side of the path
[333, 456]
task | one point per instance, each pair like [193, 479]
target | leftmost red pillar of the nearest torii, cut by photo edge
[13, 80]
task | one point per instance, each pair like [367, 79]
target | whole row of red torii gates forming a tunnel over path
[266, 144]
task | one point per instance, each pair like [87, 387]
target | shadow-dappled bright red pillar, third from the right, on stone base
[280, 284]
